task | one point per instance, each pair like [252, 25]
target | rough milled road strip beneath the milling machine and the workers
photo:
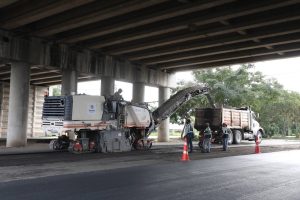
[36, 160]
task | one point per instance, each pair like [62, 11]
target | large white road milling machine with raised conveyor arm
[86, 123]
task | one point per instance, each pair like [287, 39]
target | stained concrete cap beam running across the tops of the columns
[55, 57]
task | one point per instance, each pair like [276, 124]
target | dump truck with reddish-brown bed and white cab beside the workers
[241, 121]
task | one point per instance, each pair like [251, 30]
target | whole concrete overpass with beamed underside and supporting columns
[143, 42]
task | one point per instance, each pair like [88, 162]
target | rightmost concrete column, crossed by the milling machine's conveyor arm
[163, 129]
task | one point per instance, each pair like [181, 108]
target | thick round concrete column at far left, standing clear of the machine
[18, 105]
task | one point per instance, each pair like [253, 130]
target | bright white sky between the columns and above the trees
[286, 71]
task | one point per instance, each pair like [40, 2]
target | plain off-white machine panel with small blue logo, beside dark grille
[86, 107]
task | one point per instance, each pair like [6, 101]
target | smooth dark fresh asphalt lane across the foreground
[269, 176]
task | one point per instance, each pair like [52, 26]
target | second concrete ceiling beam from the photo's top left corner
[106, 13]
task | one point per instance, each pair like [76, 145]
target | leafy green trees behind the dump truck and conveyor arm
[279, 109]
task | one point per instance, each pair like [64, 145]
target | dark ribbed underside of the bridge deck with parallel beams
[165, 35]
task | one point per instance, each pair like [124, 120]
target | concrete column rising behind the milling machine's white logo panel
[69, 82]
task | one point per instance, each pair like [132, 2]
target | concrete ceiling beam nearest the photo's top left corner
[43, 12]
